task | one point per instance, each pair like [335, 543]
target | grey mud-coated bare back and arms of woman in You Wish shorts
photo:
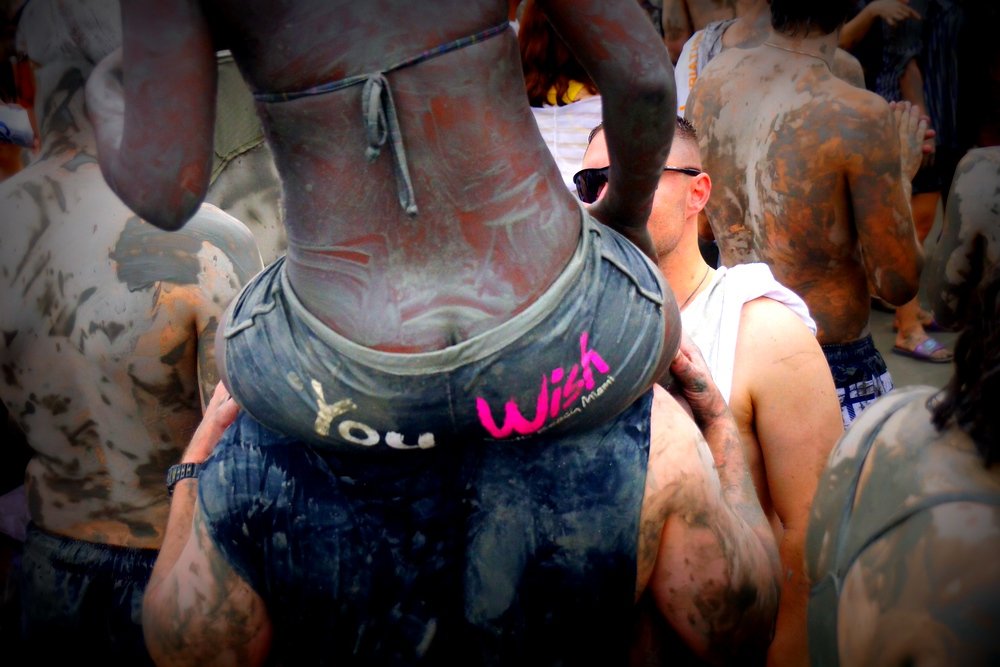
[494, 226]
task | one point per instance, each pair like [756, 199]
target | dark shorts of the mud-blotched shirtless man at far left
[83, 599]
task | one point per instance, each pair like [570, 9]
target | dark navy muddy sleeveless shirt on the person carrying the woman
[487, 554]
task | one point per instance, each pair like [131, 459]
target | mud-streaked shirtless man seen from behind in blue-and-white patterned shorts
[815, 184]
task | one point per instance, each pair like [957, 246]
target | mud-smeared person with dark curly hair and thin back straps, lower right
[905, 527]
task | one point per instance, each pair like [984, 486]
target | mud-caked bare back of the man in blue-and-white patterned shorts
[777, 136]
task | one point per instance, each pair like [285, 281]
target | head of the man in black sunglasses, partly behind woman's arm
[680, 195]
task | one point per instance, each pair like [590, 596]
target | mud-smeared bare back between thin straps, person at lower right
[928, 591]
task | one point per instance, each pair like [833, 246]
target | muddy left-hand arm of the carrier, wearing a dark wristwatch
[197, 610]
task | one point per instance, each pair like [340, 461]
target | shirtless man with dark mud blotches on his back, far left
[107, 351]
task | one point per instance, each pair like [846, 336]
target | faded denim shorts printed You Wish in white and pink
[575, 358]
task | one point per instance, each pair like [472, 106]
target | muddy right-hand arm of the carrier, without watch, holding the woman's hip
[716, 577]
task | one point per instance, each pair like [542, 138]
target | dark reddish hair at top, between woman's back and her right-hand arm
[545, 59]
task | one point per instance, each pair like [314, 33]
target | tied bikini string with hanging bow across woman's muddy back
[379, 111]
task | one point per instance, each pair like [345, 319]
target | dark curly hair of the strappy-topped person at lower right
[971, 399]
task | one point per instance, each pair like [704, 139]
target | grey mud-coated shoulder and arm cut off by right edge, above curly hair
[970, 236]
